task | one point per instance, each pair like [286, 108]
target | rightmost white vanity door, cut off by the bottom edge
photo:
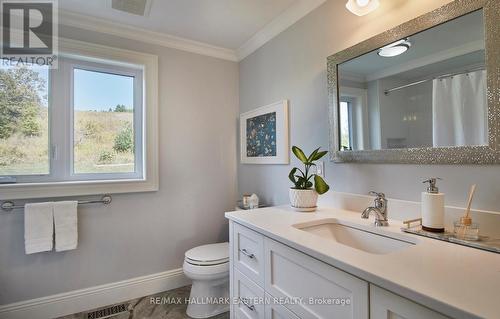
[386, 305]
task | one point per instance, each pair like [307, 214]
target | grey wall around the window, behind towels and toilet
[145, 233]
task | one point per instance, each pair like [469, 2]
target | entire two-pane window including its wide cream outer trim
[91, 120]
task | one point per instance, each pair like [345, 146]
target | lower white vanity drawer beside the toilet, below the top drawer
[250, 298]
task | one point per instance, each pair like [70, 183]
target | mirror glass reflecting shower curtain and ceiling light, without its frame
[427, 90]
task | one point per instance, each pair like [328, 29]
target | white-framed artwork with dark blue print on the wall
[264, 135]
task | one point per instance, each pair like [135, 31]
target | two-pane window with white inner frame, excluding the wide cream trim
[102, 105]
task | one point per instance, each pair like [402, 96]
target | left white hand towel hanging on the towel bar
[38, 227]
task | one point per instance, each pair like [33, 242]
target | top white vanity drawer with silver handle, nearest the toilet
[248, 253]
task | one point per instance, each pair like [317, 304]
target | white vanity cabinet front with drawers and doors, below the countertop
[270, 280]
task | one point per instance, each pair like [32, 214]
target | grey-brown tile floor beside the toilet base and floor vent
[142, 308]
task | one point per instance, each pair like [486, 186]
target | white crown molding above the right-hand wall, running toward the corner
[282, 22]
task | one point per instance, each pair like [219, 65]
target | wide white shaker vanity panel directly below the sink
[323, 291]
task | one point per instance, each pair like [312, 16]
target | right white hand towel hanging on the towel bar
[66, 225]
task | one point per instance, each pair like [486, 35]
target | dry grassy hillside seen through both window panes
[95, 149]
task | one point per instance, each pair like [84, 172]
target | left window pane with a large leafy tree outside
[24, 121]
